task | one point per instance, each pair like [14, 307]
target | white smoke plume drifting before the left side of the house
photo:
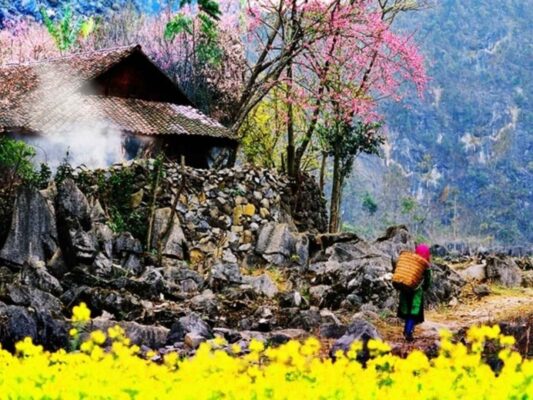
[71, 125]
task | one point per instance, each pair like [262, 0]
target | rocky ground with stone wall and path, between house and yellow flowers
[238, 259]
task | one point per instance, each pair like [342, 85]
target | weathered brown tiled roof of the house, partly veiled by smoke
[45, 97]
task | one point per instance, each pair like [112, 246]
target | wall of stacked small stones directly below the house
[220, 213]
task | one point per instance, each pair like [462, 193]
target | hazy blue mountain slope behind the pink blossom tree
[466, 149]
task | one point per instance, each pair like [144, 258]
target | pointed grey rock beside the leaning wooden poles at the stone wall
[173, 243]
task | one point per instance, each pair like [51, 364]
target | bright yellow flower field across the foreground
[292, 371]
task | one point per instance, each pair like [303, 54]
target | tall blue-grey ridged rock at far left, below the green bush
[33, 232]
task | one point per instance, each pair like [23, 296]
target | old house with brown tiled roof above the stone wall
[118, 94]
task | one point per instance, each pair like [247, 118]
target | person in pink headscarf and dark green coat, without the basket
[411, 308]
